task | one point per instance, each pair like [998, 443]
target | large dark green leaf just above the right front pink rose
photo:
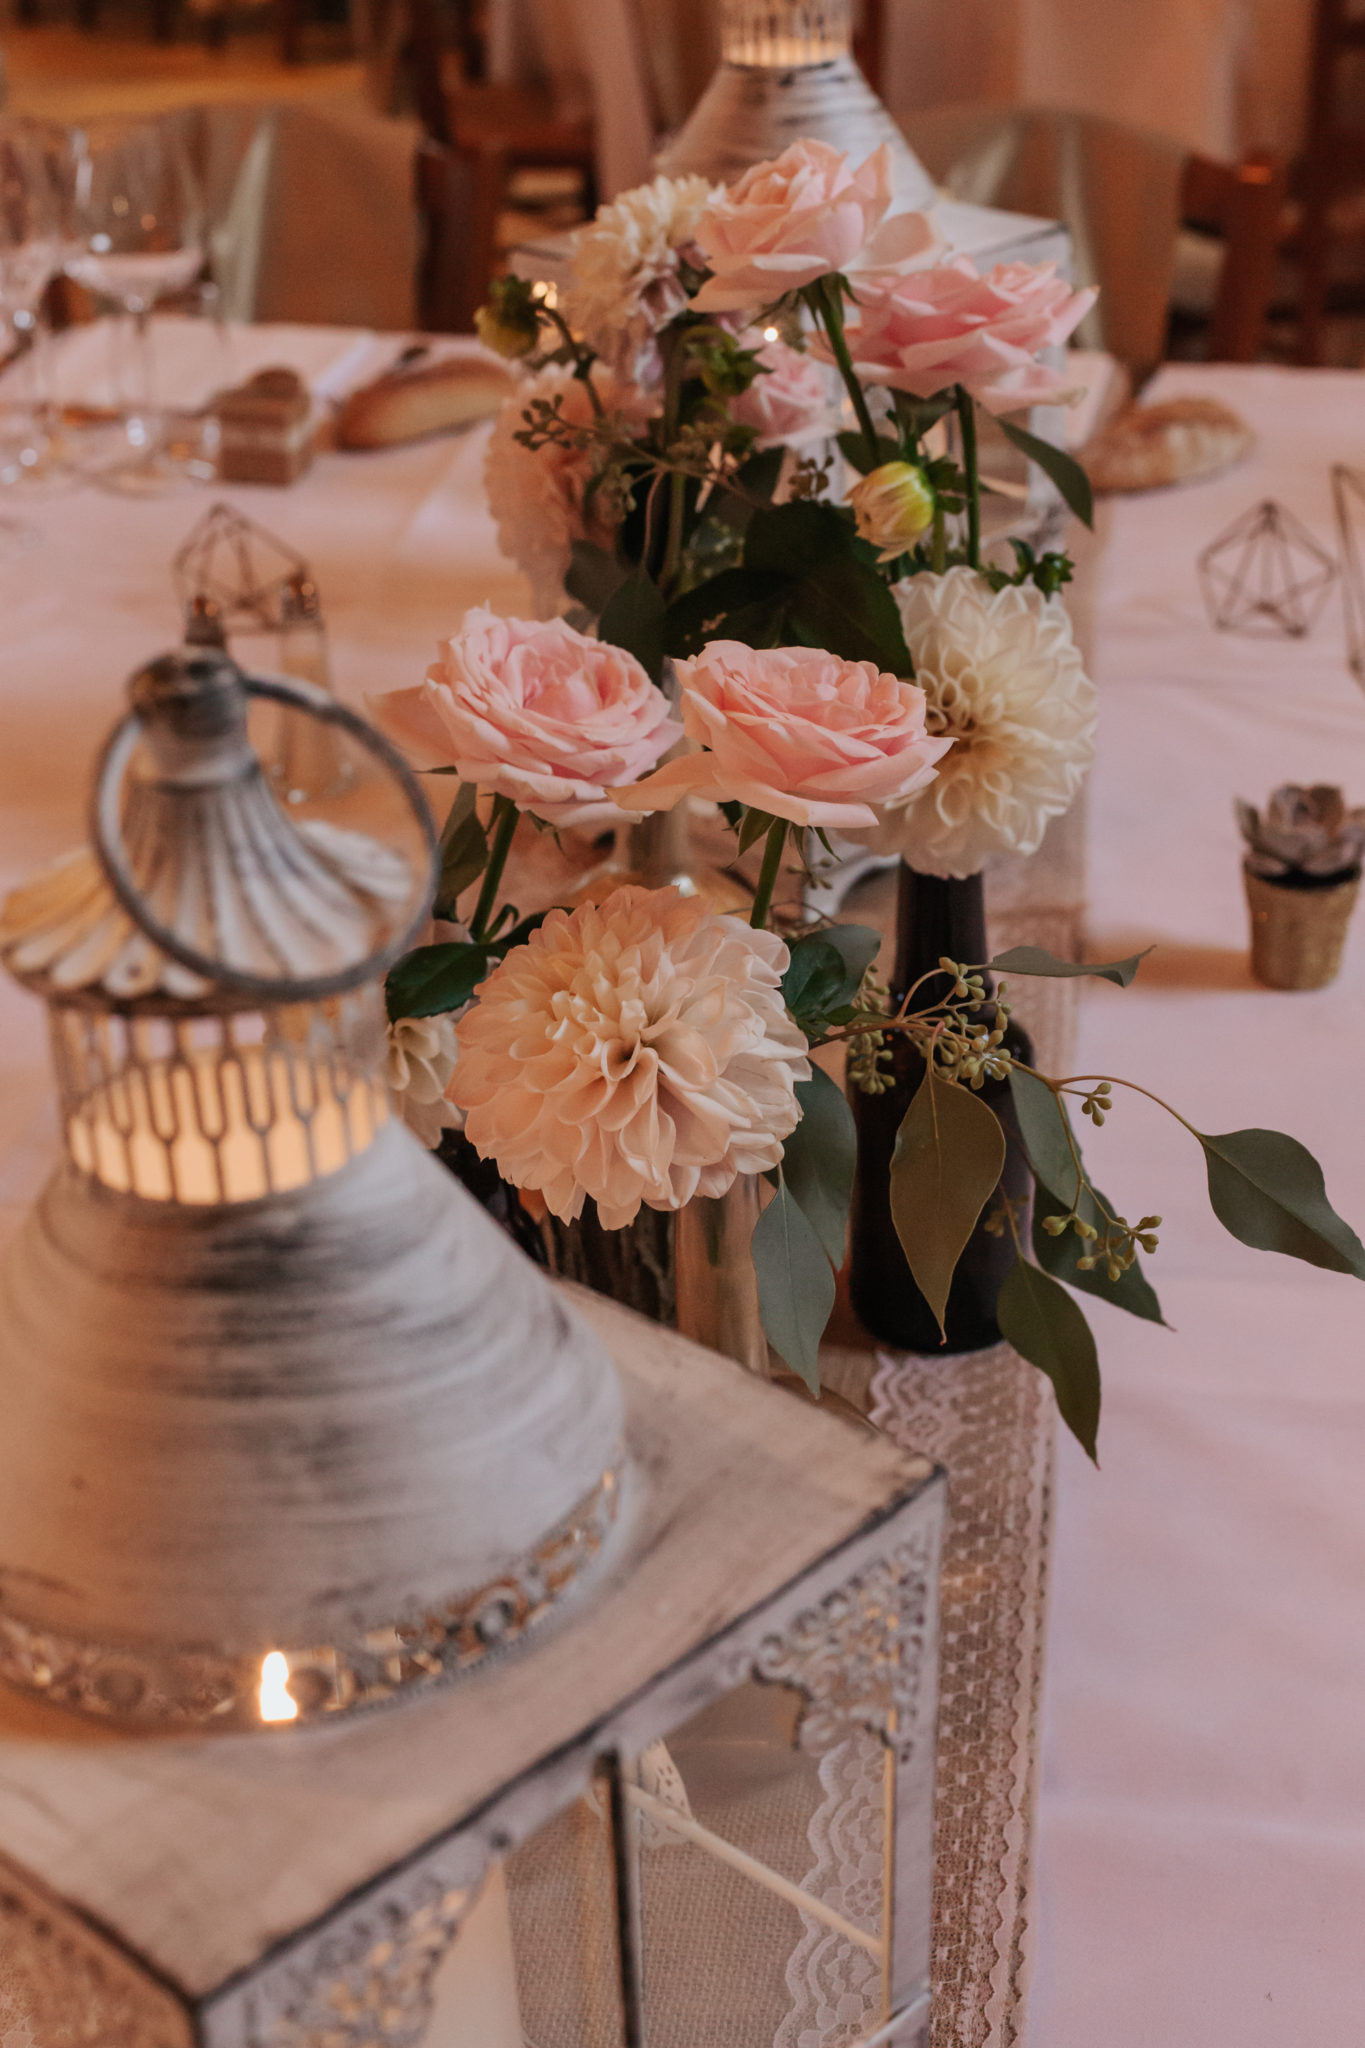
[840, 599]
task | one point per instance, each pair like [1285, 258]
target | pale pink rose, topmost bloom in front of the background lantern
[799, 218]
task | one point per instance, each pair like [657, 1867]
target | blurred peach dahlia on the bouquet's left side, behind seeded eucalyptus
[541, 499]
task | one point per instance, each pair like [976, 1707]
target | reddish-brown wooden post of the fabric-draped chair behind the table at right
[1243, 204]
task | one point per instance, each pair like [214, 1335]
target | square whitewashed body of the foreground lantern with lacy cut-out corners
[697, 1814]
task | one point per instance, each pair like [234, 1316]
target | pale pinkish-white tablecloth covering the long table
[1202, 1850]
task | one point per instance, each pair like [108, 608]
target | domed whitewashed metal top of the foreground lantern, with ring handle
[290, 1426]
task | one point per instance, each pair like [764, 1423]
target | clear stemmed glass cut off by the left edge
[30, 259]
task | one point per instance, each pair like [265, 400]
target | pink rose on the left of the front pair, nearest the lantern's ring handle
[533, 712]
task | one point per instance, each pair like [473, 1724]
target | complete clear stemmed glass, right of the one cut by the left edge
[140, 239]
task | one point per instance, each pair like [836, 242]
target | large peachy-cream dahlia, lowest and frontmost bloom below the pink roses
[633, 1052]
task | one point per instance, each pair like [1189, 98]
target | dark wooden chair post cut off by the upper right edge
[1333, 165]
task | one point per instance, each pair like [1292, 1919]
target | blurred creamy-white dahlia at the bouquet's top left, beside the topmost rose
[625, 271]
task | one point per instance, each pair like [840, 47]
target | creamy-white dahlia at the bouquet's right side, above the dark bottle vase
[1004, 681]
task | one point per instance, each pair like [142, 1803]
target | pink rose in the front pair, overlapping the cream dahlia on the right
[795, 732]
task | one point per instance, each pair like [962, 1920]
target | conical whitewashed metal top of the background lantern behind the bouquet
[787, 75]
